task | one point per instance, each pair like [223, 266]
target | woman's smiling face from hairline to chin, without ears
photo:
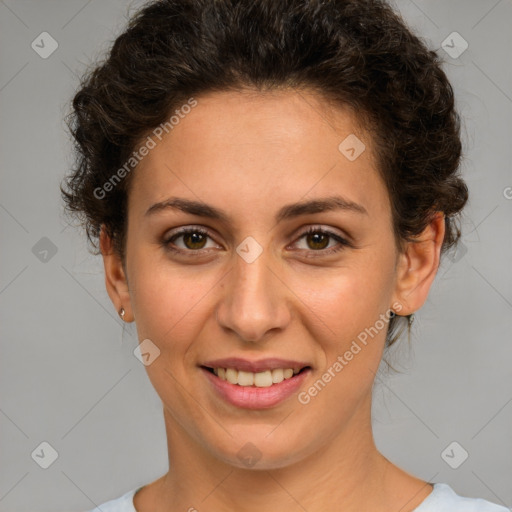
[251, 284]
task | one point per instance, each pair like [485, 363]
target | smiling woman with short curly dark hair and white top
[271, 186]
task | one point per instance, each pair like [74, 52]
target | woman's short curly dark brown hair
[358, 53]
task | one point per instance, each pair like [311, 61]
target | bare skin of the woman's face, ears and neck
[249, 154]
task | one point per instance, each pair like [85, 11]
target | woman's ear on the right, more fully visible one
[417, 266]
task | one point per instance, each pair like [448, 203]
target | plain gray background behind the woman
[68, 373]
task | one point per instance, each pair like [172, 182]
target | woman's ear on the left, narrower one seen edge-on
[115, 277]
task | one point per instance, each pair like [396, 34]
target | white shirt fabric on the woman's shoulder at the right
[444, 499]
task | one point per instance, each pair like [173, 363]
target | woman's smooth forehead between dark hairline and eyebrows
[279, 146]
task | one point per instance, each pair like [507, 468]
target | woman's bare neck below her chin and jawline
[346, 473]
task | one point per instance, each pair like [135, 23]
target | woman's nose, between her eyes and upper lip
[255, 301]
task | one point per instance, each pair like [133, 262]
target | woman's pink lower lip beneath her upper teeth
[252, 397]
